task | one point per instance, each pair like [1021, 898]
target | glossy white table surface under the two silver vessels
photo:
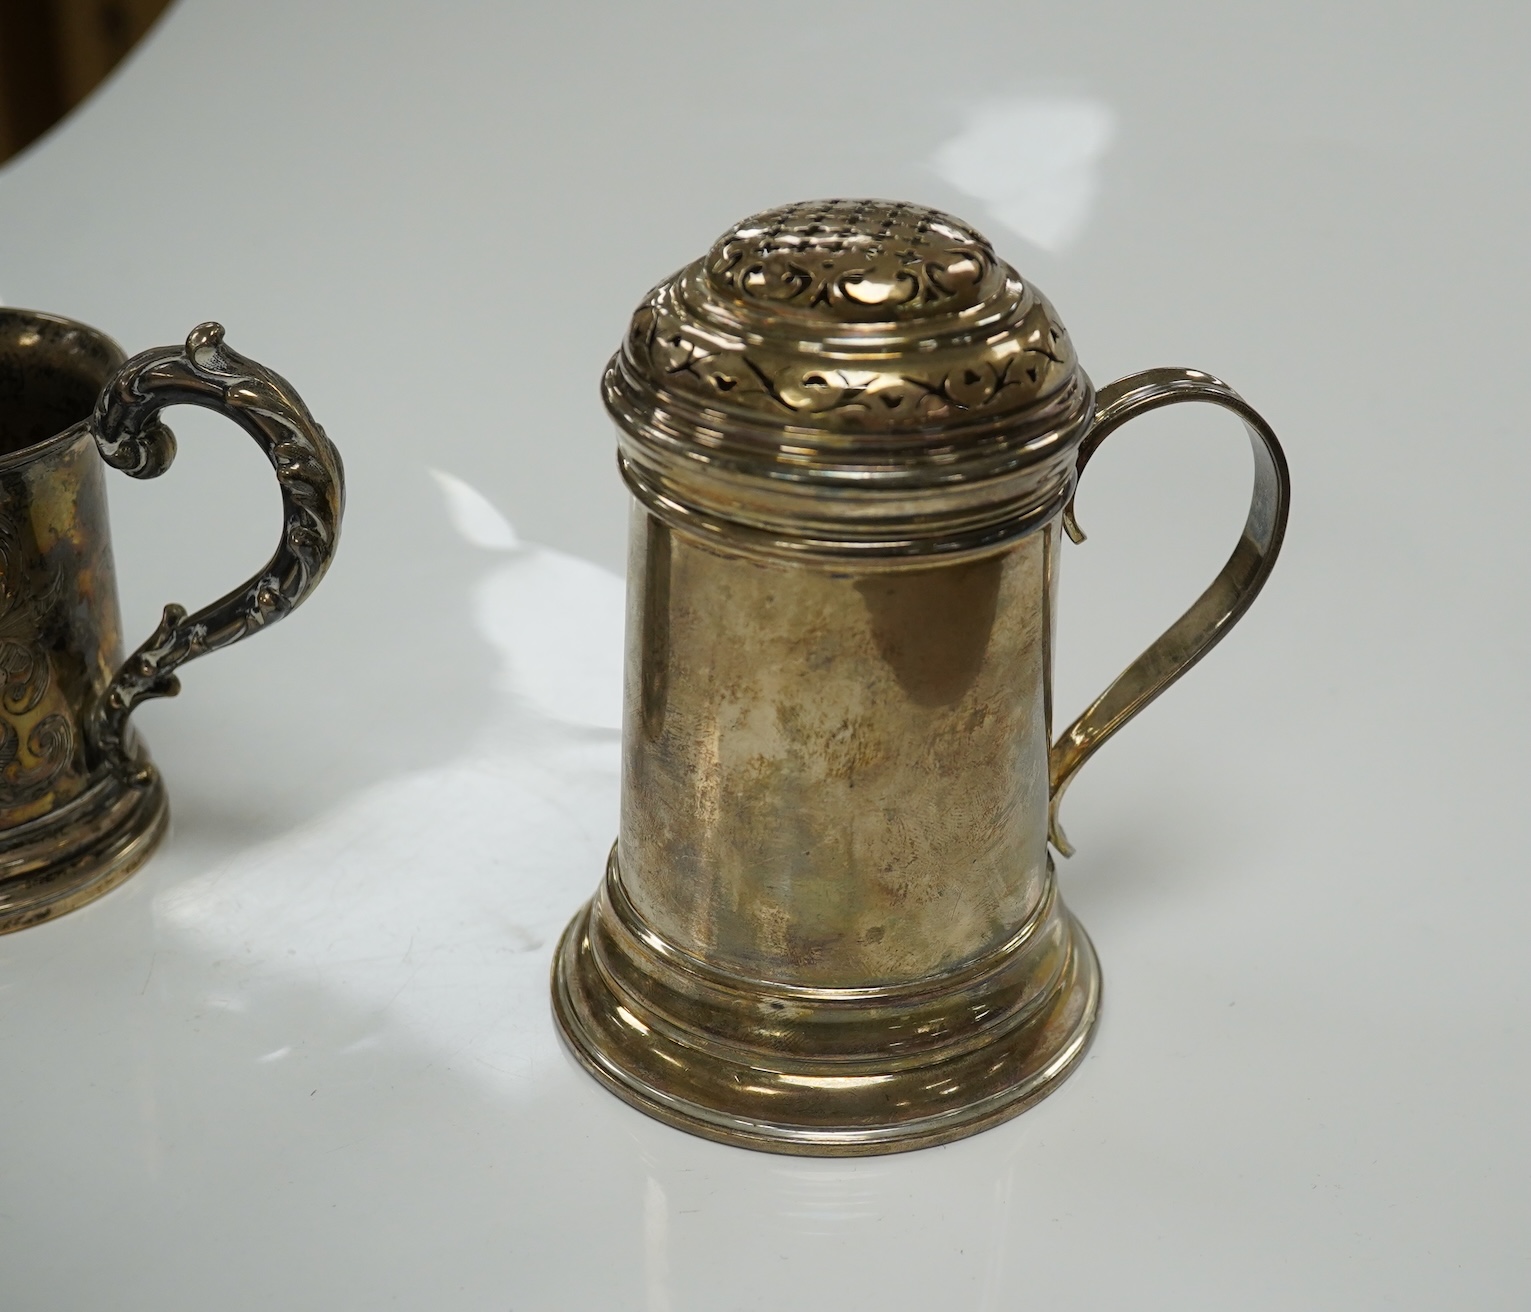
[305, 1060]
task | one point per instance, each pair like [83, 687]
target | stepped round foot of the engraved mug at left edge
[79, 852]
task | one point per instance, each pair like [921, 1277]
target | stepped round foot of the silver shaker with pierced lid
[824, 1072]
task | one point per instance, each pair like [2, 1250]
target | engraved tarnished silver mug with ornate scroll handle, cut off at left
[82, 806]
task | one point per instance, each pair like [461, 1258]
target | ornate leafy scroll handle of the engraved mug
[131, 437]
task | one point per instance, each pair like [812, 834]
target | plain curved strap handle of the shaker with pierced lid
[1213, 615]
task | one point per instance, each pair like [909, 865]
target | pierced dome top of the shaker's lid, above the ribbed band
[850, 318]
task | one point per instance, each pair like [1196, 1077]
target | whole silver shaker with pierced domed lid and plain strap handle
[831, 924]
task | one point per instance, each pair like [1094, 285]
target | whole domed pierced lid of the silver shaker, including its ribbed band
[850, 379]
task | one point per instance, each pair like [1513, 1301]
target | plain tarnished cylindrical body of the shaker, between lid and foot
[835, 780]
